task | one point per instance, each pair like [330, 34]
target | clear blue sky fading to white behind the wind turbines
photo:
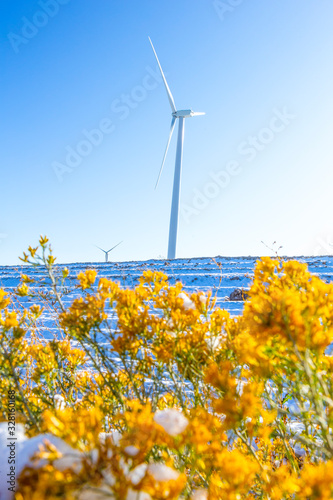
[85, 120]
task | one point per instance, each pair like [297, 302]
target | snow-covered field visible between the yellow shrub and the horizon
[221, 275]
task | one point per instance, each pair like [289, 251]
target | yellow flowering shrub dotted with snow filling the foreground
[151, 393]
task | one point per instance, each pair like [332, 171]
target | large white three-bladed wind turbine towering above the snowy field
[180, 115]
